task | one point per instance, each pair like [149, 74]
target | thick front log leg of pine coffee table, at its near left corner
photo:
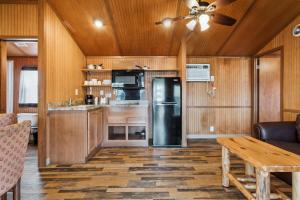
[262, 185]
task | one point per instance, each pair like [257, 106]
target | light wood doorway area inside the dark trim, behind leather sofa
[269, 72]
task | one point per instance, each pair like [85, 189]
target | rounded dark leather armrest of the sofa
[280, 131]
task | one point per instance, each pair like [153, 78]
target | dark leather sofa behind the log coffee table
[283, 135]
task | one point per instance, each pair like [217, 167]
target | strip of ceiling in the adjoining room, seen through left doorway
[22, 49]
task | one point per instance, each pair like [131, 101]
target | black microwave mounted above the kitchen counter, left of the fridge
[128, 79]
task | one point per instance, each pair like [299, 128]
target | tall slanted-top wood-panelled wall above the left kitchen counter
[64, 61]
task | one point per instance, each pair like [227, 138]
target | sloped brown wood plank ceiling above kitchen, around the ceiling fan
[130, 30]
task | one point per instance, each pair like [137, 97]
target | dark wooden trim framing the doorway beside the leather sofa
[255, 117]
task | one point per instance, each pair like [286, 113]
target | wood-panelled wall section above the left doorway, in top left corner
[18, 20]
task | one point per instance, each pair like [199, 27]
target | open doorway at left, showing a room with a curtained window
[19, 69]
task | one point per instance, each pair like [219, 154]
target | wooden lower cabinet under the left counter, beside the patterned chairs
[74, 135]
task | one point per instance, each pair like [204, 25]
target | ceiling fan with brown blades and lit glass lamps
[202, 12]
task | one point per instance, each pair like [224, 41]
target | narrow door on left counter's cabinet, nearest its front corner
[92, 130]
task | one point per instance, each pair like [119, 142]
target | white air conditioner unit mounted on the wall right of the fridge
[198, 72]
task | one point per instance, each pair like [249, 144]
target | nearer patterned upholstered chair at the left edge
[13, 146]
